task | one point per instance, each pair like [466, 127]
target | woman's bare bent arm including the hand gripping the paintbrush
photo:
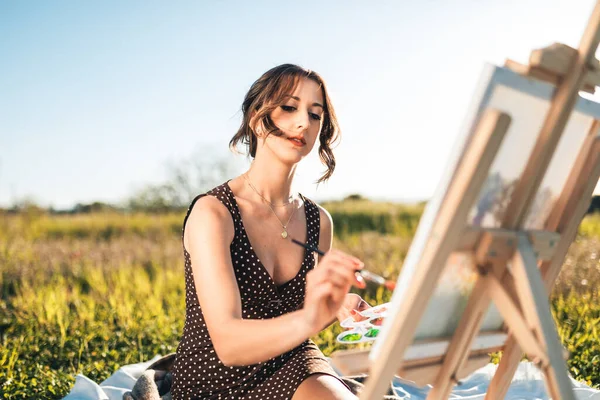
[240, 341]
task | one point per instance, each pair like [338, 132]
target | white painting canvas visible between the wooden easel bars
[526, 100]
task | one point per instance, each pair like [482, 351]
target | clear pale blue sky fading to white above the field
[95, 96]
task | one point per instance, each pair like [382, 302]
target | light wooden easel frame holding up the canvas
[511, 272]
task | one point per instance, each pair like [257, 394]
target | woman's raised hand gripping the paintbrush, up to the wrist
[327, 286]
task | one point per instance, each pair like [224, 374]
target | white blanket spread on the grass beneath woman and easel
[527, 384]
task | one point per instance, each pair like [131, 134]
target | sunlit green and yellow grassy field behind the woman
[90, 293]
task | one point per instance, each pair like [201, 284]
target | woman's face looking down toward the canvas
[300, 118]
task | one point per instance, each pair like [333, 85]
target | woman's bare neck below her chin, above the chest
[273, 182]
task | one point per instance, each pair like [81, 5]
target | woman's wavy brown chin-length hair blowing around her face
[269, 92]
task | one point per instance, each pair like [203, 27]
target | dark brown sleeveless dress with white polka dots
[197, 372]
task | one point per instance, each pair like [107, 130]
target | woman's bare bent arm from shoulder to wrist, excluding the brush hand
[237, 341]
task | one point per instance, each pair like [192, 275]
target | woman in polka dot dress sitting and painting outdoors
[253, 297]
